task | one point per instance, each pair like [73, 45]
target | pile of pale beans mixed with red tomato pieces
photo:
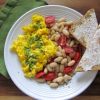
[60, 68]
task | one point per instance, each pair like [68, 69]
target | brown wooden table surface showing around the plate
[8, 91]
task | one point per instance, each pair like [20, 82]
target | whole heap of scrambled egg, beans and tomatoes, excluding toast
[47, 51]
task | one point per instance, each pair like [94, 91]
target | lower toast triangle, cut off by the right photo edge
[91, 57]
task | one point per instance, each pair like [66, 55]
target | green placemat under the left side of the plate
[9, 13]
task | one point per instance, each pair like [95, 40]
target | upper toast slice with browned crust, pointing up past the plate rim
[84, 29]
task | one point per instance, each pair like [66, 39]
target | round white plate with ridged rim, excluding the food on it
[42, 91]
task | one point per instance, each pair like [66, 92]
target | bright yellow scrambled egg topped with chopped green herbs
[34, 48]
